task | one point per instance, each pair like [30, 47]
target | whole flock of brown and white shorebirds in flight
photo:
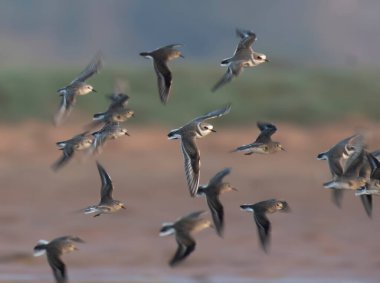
[351, 165]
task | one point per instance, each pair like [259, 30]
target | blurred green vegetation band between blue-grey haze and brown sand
[303, 96]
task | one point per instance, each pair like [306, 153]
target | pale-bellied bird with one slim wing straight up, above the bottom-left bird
[107, 204]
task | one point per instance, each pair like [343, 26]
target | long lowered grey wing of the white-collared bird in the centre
[192, 163]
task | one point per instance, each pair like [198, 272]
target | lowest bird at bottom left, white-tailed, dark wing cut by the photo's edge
[54, 250]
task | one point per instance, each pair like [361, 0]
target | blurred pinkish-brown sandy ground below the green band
[316, 242]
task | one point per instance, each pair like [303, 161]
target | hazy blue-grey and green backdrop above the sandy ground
[323, 54]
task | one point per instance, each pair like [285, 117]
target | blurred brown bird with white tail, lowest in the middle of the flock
[181, 228]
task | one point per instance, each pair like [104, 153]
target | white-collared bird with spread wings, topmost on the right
[244, 57]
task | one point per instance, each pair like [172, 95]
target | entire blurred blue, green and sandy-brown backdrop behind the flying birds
[321, 85]
